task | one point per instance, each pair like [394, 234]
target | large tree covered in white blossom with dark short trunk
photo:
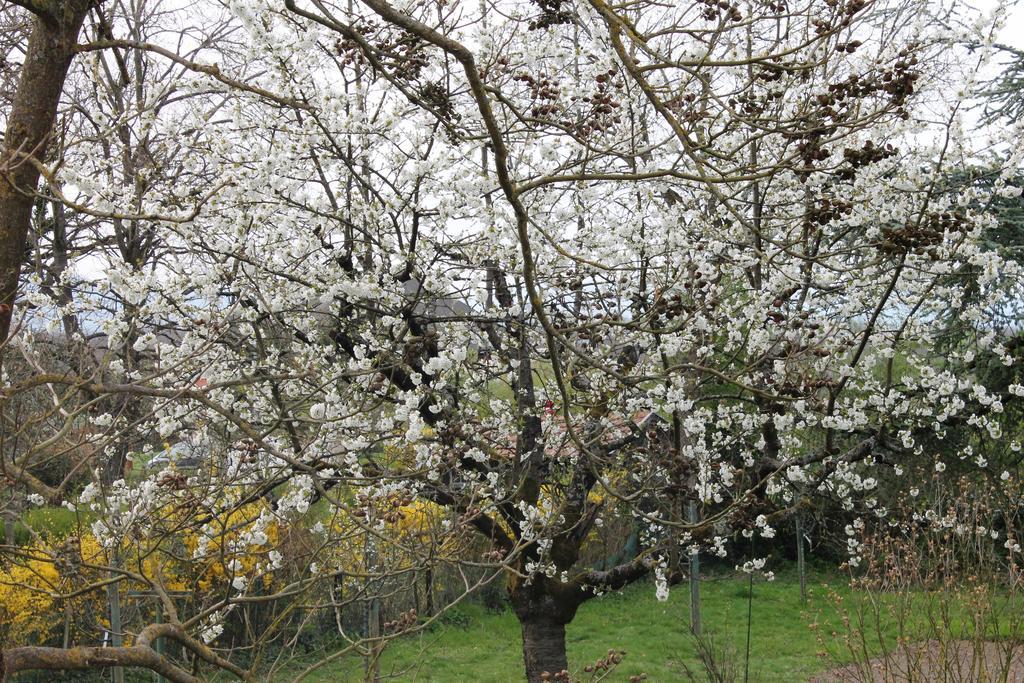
[551, 266]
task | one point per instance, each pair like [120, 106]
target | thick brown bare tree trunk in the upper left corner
[48, 59]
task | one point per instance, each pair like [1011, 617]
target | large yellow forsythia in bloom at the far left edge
[240, 548]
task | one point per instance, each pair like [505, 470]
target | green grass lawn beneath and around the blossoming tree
[789, 642]
